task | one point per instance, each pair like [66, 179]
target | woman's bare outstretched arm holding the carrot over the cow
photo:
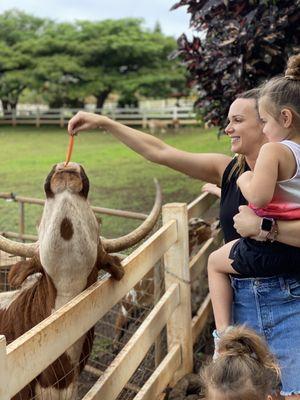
[206, 167]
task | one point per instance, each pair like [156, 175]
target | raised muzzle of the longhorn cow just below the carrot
[71, 177]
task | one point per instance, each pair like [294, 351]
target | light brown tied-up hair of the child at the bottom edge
[245, 368]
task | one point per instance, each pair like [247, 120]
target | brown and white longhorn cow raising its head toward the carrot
[65, 261]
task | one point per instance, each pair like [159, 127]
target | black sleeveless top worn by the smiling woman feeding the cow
[231, 199]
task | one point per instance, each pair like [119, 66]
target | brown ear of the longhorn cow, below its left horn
[21, 270]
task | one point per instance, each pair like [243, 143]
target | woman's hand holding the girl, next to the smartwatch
[246, 222]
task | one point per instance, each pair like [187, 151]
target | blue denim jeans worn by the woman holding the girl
[271, 306]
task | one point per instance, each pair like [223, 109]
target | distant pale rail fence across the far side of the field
[128, 116]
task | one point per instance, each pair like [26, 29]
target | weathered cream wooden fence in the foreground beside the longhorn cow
[49, 339]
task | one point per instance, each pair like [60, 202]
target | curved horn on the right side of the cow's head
[123, 242]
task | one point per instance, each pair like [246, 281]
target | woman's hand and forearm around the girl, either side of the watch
[247, 224]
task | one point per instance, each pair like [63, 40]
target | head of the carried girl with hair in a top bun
[279, 103]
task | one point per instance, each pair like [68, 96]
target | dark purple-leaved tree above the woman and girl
[240, 44]
